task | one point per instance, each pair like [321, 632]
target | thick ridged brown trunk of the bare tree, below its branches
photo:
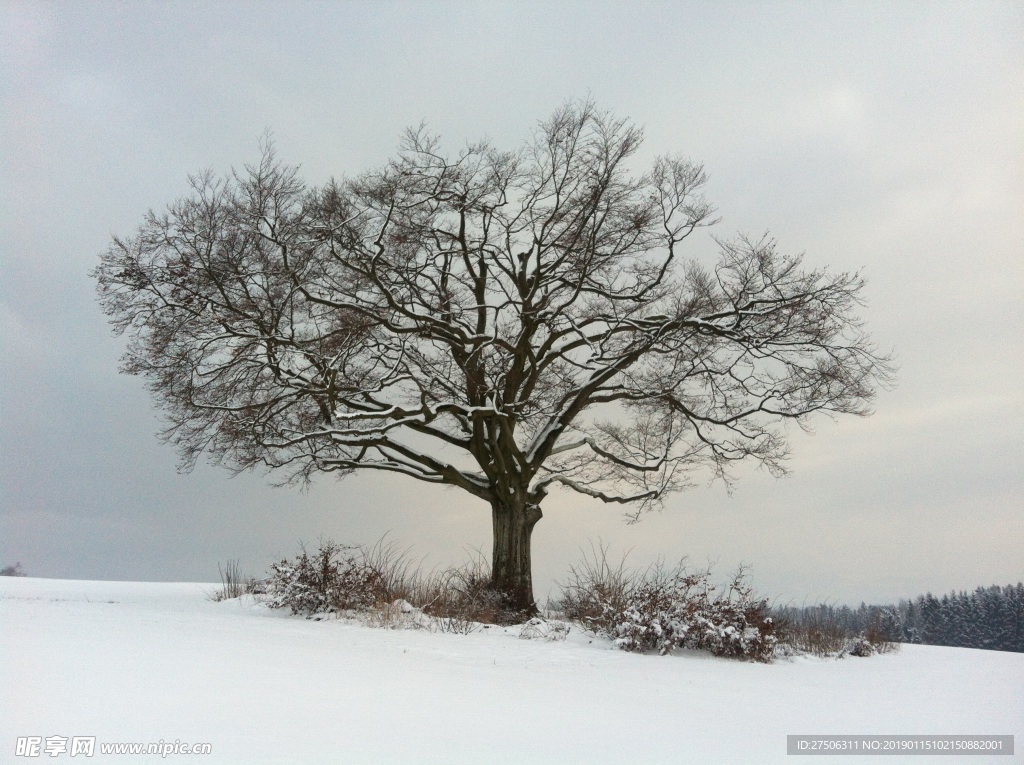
[511, 572]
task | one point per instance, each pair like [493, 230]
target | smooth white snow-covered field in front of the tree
[127, 662]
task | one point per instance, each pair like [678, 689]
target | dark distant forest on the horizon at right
[990, 618]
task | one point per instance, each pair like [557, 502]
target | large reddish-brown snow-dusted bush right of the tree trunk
[666, 609]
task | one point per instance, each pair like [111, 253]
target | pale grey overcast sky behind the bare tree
[887, 138]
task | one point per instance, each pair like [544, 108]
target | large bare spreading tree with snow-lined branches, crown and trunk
[501, 322]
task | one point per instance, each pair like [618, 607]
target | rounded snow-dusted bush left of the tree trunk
[336, 578]
